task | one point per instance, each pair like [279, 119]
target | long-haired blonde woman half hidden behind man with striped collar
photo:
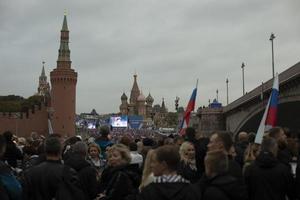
[147, 176]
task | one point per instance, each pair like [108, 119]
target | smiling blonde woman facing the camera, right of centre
[188, 168]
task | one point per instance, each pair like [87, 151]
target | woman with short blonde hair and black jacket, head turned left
[118, 180]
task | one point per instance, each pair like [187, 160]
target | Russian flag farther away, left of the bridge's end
[187, 115]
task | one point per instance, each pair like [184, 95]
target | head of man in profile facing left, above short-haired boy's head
[220, 141]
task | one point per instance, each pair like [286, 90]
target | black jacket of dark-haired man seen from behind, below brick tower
[49, 180]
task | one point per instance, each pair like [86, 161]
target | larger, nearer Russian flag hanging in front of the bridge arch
[270, 115]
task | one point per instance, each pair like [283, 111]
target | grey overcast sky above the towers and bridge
[169, 43]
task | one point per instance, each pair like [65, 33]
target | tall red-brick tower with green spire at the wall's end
[63, 88]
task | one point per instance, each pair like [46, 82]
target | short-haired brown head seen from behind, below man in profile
[216, 162]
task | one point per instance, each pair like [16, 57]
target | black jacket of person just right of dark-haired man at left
[88, 175]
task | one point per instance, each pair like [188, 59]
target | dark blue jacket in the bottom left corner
[10, 188]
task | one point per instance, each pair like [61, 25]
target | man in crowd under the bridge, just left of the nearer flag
[240, 147]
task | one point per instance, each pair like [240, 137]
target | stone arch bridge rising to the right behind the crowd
[245, 113]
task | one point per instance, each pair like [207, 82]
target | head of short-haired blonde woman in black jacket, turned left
[118, 155]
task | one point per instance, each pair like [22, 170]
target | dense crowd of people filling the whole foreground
[130, 165]
